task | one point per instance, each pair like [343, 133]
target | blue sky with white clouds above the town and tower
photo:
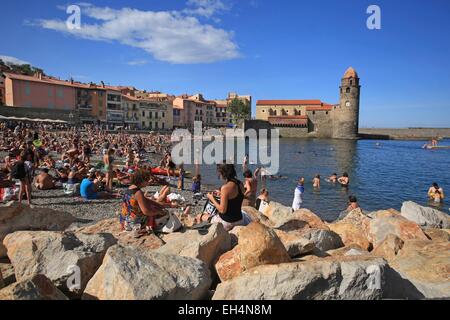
[268, 49]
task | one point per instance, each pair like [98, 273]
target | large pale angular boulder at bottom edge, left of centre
[130, 273]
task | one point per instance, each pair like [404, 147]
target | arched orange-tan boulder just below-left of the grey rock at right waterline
[386, 223]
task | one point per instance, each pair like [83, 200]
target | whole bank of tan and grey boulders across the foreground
[281, 255]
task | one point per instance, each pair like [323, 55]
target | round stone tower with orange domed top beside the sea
[346, 115]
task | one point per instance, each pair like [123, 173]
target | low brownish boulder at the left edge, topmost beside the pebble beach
[15, 217]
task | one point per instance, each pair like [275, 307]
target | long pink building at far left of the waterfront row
[39, 92]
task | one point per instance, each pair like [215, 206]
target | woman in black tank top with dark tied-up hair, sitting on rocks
[231, 197]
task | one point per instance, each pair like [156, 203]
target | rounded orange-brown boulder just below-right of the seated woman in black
[258, 245]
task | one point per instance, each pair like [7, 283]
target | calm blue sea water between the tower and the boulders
[383, 174]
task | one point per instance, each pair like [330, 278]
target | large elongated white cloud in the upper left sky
[174, 36]
